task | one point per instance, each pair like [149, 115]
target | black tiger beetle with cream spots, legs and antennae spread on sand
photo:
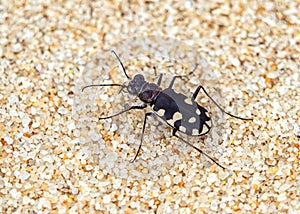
[181, 113]
